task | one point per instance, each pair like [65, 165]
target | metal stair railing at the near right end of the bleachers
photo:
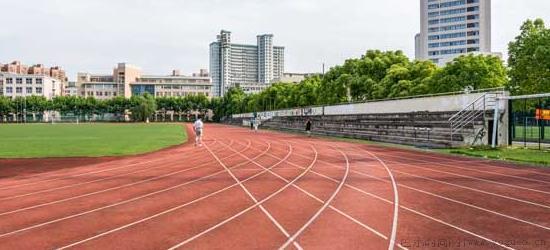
[472, 112]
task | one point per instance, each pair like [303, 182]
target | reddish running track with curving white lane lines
[272, 190]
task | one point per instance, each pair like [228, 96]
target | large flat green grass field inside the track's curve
[86, 140]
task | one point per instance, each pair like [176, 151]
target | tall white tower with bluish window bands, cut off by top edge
[450, 28]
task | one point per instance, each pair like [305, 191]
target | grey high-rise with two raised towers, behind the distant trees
[234, 64]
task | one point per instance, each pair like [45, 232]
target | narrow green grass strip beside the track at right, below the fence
[515, 154]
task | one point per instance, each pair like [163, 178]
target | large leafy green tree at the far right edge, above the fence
[529, 59]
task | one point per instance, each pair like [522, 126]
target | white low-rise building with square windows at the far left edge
[24, 85]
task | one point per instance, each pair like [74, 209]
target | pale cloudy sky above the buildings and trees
[162, 35]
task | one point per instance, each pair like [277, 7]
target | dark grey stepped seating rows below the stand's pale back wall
[419, 129]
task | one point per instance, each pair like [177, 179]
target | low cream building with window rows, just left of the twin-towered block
[174, 85]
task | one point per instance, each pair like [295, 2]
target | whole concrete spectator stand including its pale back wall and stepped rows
[422, 122]
